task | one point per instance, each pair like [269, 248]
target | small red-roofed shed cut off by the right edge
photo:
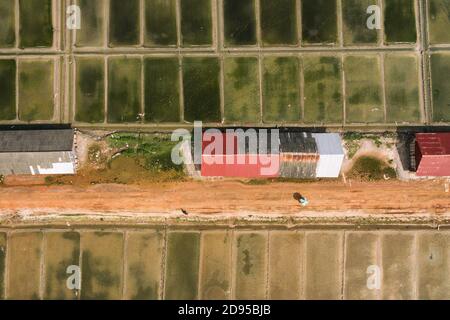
[432, 153]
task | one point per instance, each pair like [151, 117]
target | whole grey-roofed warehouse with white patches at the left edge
[37, 152]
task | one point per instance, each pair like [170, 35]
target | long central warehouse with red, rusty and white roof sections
[297, 155]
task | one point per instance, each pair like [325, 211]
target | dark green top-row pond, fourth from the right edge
[319, 21]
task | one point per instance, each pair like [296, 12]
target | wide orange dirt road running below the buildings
[233, 197]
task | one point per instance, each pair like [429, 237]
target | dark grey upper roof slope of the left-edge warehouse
[36, 140]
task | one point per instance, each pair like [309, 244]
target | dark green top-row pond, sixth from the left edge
[196, 22]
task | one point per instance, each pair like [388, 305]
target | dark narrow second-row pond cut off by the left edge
[7, 89]
